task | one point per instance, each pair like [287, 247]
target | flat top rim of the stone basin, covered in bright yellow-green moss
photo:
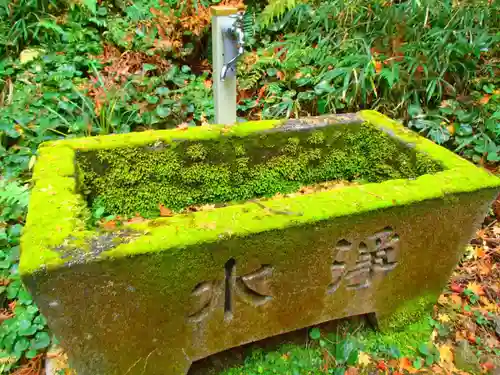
[56, 178]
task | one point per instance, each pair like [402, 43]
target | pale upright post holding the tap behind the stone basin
[223, 18]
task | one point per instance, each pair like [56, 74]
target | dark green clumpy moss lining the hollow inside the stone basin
[229, 169]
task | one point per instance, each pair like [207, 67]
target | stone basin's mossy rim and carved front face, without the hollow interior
[155, 296]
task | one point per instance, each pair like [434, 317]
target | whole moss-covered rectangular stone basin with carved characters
[154, 296]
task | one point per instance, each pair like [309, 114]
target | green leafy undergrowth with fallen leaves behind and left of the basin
[73, 68]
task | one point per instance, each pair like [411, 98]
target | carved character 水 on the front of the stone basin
[252, 288]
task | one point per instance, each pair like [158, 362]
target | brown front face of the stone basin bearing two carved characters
[156, 313]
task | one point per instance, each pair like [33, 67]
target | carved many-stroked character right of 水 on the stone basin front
[375, 255]
